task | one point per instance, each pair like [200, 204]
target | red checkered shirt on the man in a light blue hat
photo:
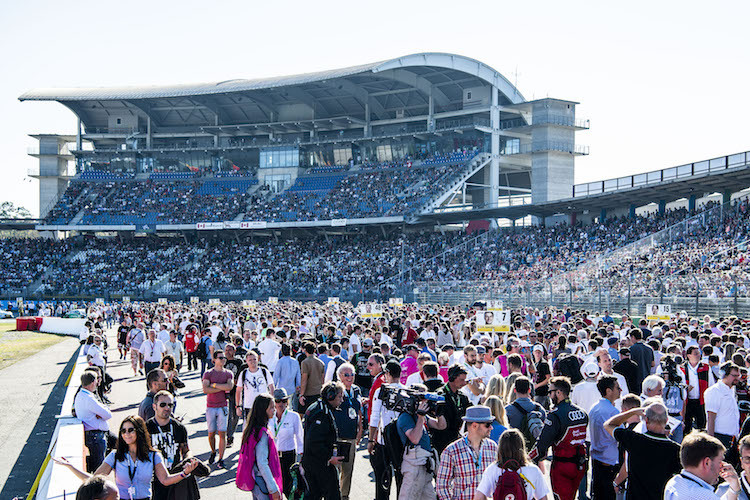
[458, 473]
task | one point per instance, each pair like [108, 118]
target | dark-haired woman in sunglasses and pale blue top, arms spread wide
[134, 461]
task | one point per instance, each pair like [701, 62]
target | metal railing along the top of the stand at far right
[713, 165]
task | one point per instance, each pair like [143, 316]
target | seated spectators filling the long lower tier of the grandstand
[708, 256]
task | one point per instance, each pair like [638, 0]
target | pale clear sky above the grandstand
[664, 83]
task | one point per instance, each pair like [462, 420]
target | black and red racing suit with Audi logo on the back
[565, 430]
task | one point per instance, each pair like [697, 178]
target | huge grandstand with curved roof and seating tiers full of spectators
[364, 183]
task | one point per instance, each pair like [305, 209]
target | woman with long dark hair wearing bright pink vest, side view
[258, 466]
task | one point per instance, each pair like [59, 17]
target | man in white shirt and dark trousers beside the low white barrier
[94, 416]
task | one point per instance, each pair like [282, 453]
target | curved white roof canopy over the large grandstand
[402, 84]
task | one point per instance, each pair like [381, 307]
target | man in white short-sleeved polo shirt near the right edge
[722, 412]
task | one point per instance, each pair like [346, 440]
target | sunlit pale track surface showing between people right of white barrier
[128, 391]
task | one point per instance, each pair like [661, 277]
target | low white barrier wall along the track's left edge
[57, 482]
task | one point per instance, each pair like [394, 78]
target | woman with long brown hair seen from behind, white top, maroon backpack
[511, 457]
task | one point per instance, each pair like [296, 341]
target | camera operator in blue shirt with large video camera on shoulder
[419, 463]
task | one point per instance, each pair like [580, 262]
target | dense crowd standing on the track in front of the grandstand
[553, 403]
